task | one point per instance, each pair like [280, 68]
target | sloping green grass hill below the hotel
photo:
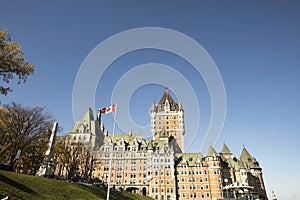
[30, 187]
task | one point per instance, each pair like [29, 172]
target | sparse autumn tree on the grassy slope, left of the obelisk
[22, 128]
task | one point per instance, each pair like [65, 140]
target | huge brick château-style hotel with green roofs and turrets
[160, 168]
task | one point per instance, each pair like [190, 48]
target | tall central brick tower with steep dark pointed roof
[167, 120]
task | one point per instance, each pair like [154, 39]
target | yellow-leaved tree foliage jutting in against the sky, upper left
[12, 62]
